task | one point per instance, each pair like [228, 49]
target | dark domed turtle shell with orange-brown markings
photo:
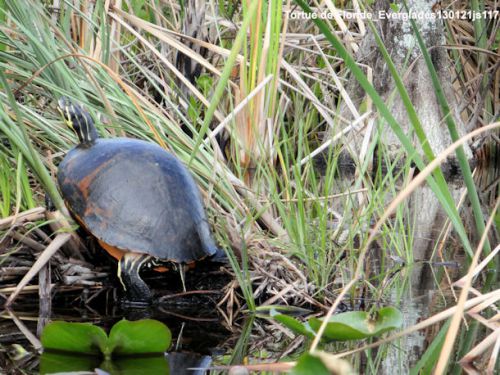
[135, 196]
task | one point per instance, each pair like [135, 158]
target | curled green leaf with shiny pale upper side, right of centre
[356, 325]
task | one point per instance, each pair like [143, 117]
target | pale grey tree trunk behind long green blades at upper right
[401, 43]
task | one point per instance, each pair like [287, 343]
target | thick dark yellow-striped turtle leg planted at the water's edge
[136, 289]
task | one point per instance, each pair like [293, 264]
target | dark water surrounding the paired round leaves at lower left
[197, 337]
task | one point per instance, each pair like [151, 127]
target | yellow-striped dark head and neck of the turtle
[78, 119]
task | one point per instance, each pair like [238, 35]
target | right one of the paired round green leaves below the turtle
[140, 337]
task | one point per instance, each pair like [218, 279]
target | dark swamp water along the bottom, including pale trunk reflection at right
[202, 338]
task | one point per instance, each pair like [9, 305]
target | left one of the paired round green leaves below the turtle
[82, 338]
